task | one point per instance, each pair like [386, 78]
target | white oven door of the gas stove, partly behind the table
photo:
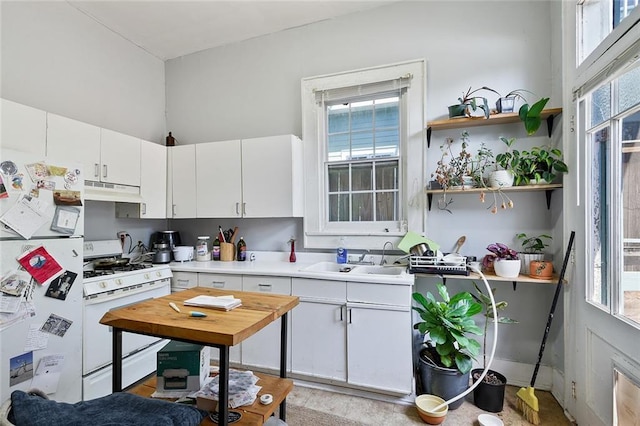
[97, 338]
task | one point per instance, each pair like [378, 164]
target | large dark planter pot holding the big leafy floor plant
[443, 382]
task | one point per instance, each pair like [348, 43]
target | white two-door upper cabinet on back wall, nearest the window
[253, 178]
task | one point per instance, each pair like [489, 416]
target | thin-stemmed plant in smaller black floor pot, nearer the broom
[489, 395]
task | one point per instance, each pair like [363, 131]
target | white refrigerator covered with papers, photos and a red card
[41, 296]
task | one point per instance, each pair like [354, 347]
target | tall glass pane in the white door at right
[613, 138]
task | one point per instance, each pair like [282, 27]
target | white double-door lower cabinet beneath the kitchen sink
[366, 343]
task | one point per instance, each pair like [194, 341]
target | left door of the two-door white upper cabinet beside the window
[218, 171]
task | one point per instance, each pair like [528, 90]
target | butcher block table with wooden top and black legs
[220, 329]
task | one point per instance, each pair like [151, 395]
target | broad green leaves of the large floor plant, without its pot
[448, 324]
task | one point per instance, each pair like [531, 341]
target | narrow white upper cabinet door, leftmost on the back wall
[183, 181]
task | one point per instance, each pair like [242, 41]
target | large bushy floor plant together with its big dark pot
[445, 361]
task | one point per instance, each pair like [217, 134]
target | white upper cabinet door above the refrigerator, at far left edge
[23, 128]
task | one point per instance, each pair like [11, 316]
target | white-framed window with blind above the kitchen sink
[364, 142]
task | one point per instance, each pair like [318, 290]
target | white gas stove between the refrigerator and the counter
[111, 282]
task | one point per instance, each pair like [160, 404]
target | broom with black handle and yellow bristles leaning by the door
[526, 401]
